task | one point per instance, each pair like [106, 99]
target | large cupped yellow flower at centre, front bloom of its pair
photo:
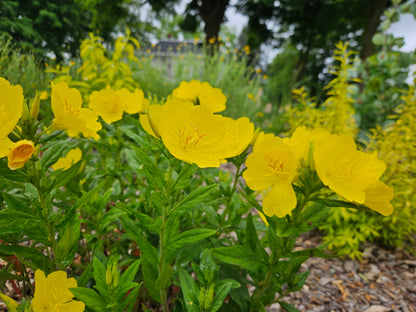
[193, 134]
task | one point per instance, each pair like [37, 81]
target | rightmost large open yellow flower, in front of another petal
[345, 170]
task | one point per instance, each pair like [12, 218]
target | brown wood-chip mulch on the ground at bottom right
[383, 281]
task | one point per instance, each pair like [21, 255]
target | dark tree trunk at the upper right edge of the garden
[374, 11]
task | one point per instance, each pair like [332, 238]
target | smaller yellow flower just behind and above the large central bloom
[213, 99]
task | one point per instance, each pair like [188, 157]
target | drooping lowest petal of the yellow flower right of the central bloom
[280, 201]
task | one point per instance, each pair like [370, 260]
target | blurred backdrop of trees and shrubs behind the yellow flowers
[360, 88]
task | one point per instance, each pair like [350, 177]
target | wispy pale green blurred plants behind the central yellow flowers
[159, 73]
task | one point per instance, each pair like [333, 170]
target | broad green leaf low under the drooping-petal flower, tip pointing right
[241, 256]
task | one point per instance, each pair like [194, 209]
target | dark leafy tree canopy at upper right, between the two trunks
[313, 27]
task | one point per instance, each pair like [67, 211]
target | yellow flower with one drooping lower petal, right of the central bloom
[272, 164]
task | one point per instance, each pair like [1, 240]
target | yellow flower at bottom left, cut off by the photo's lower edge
[52, 293]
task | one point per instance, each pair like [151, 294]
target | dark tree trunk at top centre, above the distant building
[212, 13]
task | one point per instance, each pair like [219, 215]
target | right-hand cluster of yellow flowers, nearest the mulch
[350, 173]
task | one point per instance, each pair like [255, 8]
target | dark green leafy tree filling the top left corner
[44, 25]
